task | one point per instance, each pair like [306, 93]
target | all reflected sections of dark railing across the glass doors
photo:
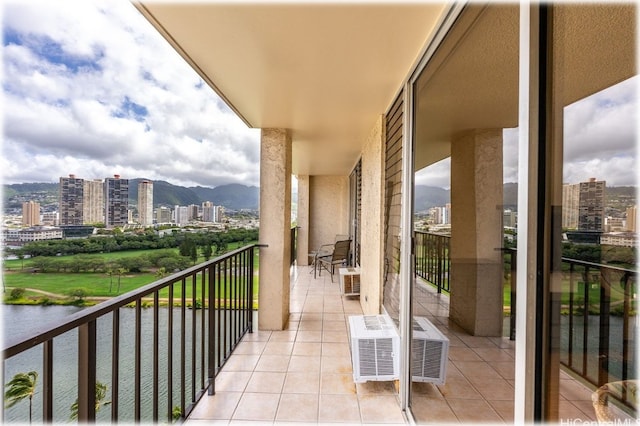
[595, 305]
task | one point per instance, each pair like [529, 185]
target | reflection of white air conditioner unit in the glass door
[429, 352]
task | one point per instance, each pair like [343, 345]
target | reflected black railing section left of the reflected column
[432, 259]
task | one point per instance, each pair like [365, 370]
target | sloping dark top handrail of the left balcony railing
[41, 335]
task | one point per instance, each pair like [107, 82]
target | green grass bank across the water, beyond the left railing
[88, 288]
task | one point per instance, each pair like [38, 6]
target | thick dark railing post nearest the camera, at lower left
[87, 372]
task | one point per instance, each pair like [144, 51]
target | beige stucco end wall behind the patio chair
[329, 209]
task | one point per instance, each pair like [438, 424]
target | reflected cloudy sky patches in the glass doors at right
[600, 140]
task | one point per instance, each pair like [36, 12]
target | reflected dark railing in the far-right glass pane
[597, 304]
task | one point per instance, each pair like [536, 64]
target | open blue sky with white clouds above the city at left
[90, 88]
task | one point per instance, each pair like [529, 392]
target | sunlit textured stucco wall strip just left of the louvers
[372, 232]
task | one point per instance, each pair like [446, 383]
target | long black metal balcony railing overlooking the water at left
[158, 348]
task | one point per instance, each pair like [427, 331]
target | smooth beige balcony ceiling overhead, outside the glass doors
[324, 70]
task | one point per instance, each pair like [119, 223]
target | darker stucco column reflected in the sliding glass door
[476, 232]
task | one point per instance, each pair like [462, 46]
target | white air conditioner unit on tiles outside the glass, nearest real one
[375, 348]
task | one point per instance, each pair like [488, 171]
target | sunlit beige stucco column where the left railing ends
[275, 228]
